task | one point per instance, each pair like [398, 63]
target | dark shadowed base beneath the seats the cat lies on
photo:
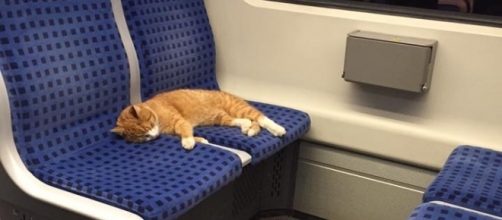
[268, 185]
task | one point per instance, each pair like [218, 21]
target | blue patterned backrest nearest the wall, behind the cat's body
[174, 43]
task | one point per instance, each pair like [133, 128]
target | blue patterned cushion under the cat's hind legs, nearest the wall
[264, 144]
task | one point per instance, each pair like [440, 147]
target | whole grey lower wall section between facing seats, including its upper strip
[341, 185]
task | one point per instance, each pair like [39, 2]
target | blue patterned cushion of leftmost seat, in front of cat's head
[157, 180]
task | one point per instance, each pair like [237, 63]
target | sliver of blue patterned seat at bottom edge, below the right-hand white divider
[432, 211]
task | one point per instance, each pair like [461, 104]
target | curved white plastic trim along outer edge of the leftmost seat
[22, 177]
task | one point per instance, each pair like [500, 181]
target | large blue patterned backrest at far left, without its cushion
[66, 73]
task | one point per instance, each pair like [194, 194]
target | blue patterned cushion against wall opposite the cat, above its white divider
[471, 178]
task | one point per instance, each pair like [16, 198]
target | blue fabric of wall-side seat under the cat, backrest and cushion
[175, 47]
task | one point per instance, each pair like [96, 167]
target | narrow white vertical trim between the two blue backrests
[132, 56]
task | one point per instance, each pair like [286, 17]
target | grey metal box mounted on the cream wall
[397, 62]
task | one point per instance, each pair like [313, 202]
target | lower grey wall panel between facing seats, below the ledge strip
[337, 195]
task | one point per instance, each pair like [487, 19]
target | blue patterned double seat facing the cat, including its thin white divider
[469, 186]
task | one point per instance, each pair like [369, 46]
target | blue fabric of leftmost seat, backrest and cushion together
[67, 78]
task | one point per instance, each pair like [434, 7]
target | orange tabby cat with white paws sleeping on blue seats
[177, 112]
